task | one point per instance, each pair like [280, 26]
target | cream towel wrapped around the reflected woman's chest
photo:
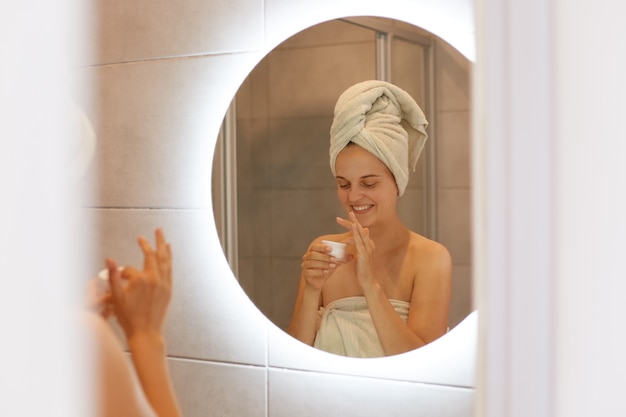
[347, 329]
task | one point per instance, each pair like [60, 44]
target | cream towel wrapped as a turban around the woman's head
[384, 120]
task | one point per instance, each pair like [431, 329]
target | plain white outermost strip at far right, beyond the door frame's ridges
[589, 223]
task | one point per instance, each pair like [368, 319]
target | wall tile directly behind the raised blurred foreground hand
[210, 317]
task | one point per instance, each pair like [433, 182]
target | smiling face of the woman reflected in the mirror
[365, 185]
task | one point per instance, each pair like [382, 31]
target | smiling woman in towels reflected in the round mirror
[392, 293]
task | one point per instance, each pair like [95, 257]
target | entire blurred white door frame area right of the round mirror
[551, 223]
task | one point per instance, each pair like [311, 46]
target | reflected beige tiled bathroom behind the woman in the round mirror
[273, 188]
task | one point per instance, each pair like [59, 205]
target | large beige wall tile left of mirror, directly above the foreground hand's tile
[157, 126]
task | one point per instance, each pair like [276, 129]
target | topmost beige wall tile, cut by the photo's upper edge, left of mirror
[142, 29]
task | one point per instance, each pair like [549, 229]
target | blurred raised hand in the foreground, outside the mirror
[140, 297]
